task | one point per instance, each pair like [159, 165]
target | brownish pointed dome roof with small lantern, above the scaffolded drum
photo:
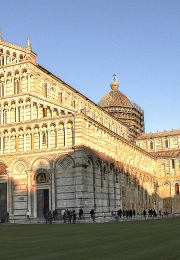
[115, 98]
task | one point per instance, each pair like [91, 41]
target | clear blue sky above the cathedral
[84, 42]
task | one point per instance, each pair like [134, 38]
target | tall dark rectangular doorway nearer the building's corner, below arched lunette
[42, 202]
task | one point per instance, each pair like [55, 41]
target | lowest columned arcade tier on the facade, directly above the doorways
[37, 138]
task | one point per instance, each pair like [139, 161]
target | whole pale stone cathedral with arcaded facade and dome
[59, 150]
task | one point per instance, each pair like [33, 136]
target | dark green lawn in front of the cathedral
[149, 239]
